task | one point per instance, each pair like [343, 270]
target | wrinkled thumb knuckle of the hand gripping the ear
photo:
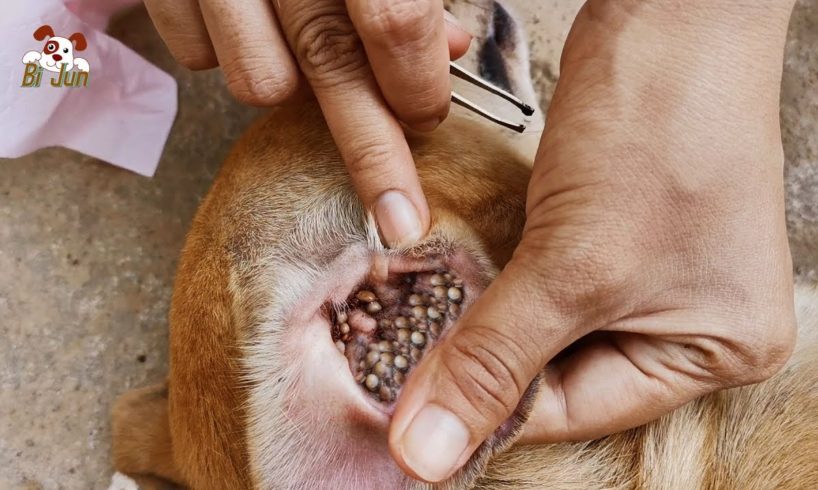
[486, 379]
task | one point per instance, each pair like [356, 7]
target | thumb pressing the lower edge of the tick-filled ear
[473, 380]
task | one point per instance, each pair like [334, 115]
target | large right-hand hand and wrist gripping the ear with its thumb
[655, 236]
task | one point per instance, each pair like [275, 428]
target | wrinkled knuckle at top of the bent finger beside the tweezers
[397, 22]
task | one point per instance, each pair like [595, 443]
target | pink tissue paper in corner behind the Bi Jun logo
[110, 103]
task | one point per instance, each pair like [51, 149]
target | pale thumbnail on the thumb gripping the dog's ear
[434, 443]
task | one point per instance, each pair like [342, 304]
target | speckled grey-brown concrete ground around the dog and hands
[88, 251]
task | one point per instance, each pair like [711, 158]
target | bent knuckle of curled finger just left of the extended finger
[258, 84]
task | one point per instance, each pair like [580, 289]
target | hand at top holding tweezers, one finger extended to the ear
[370, 63]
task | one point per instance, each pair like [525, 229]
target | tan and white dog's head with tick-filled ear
[299, 246]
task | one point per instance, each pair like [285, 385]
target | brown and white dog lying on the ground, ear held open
[259, 396]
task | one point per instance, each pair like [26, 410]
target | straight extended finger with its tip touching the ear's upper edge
[369, 138]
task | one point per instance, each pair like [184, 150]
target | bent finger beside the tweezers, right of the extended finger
[408, 48]
